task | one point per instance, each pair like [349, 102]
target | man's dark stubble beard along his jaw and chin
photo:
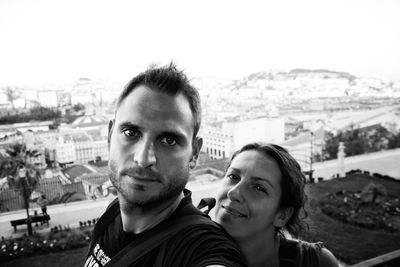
[169, 191]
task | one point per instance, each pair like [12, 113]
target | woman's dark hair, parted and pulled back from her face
[292, 183]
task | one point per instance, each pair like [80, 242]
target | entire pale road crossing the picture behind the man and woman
[385, 162]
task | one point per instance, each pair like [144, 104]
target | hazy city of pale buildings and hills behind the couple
[302, 110]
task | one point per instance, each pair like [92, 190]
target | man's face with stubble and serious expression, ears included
[151, 145]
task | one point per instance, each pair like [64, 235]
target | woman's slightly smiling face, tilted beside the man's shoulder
[248, 200]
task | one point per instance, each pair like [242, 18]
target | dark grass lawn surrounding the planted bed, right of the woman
[349, 243]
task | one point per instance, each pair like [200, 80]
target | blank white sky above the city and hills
[54, 41]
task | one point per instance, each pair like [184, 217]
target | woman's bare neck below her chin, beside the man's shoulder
[261, 250]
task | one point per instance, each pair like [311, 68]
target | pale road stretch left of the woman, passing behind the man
[71, 213]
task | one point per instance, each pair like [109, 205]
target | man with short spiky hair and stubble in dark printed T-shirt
[153, 143]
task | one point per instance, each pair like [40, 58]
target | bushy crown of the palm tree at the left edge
[17, 156]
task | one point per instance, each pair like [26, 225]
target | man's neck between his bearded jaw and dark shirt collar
[136, 219]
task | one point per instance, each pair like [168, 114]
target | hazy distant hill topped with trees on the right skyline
[313, 83]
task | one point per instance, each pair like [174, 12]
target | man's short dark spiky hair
[169, 80]
